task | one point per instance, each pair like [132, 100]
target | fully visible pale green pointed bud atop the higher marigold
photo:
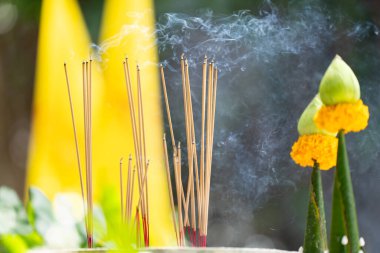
[339, 84]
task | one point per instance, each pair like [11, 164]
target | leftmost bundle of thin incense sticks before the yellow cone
[88, 204]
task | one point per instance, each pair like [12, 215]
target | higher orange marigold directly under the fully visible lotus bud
[349, 117]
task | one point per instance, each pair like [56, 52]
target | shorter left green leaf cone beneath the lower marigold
[315, 235]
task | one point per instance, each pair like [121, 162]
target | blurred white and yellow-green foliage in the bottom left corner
[39, 224]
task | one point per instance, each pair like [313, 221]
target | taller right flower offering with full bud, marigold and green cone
[344, 112]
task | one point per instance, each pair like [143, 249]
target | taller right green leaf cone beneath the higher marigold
[344, 219]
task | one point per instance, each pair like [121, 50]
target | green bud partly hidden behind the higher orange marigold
[306, 124]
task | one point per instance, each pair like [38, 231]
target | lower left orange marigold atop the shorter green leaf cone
[312, 148]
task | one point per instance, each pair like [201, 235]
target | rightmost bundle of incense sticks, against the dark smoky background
[201, 184]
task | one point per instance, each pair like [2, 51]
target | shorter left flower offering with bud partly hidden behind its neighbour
[314, 148]
